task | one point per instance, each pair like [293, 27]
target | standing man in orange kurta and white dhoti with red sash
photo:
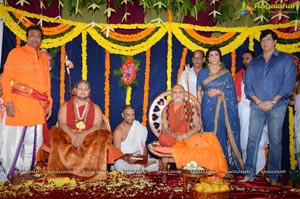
[28, 68]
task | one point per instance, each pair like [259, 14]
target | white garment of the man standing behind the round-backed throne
[190, 75]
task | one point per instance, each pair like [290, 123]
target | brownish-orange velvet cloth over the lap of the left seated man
[88, 162]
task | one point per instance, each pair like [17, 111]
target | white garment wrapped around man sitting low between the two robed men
[135, 143]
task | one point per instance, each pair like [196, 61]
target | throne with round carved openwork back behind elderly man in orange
[154, 120]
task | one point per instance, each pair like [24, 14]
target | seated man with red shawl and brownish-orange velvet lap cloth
[79, 148]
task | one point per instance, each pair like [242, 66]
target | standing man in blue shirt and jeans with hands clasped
[270, 79]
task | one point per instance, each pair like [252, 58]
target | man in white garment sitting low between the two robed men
[130, 137]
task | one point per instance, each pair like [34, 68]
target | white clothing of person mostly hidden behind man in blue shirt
[244, 115]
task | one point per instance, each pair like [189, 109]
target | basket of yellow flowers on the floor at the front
[212, 187]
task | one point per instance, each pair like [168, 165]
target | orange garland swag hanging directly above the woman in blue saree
[210, 40]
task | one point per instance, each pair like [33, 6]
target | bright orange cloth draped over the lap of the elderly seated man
[203, 148]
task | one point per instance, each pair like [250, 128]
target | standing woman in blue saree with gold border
[219, 107]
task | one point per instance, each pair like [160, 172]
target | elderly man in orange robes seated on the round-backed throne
[181, 125]
